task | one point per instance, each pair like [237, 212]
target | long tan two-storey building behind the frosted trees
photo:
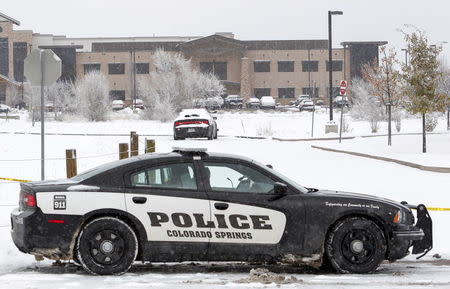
[281, 68]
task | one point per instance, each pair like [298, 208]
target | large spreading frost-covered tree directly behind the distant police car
[174, 85]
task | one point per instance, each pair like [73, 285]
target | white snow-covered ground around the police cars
[19, 158]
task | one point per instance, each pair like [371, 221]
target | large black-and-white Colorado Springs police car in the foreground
[190, 204]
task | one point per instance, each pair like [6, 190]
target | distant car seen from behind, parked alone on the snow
[194, 123]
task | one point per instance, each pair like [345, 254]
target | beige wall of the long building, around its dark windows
[273, 79]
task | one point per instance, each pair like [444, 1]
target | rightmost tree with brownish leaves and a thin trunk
[422, 76]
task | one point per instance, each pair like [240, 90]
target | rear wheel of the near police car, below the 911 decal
[107, 246]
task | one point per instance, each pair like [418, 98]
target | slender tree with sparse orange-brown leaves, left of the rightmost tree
[385, 82]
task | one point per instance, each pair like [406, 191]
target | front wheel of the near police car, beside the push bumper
[355, 245]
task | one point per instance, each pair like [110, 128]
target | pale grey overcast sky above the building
[363, 20]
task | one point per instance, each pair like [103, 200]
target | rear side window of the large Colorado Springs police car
[174, 176]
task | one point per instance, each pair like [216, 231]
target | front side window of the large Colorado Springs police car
[225, 177]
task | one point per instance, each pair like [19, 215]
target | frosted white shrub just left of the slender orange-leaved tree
[366, 106]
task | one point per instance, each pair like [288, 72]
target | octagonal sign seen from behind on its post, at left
[42, 68]
